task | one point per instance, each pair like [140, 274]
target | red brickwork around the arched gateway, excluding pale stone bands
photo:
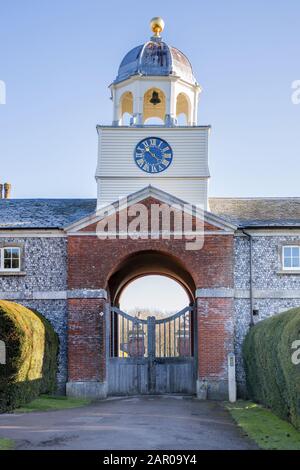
[92, 261]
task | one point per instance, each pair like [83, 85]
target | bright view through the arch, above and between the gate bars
[158, 300]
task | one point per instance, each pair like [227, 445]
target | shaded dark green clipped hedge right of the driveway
[272, 378]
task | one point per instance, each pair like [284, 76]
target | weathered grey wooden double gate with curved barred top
[151, 356]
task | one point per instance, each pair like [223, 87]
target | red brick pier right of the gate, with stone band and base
[215, 341]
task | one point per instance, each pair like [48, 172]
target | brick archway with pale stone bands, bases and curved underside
[98, 270]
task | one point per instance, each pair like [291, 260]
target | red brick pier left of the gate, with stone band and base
[86, 344]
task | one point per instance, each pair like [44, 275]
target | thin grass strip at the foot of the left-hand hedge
[51, 403]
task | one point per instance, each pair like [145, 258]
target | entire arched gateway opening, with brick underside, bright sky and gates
[152, 349]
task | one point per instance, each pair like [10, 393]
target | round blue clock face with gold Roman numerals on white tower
[153, 155]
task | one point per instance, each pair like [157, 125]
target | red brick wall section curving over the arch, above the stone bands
[93, 261]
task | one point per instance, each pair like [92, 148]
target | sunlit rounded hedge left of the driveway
[31, 355]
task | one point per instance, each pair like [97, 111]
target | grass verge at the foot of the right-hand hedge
[265, 428]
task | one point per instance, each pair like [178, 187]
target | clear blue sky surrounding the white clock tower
[58, 57]
